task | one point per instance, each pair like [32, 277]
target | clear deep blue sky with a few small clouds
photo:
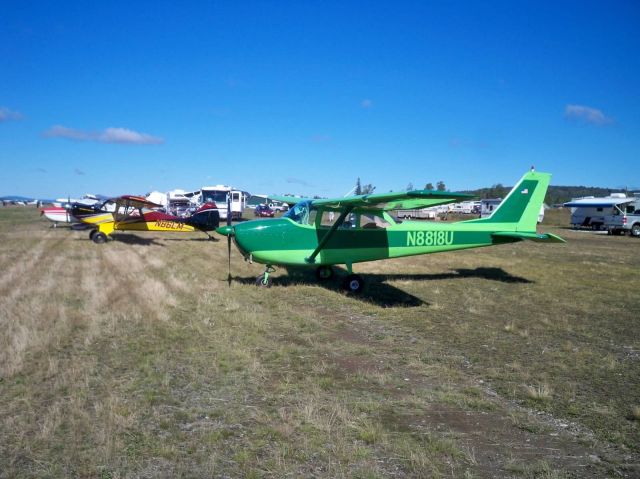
[304, 97]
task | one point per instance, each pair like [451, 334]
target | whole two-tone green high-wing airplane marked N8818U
[321, 233]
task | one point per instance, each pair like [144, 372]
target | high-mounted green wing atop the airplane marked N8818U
[385, 201]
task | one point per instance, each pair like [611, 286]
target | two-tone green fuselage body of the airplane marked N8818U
[285, 242]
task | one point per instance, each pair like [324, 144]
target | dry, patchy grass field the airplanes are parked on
[137, 359]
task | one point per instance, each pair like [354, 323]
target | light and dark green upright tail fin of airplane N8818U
[521, 207]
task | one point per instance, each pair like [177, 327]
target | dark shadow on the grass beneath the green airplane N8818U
[377, 289]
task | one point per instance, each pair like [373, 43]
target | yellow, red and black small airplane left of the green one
[135, 213]
